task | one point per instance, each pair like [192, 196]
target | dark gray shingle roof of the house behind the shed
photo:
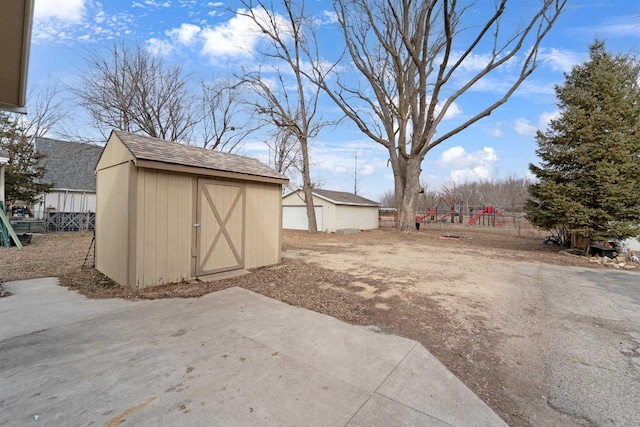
[69, 165]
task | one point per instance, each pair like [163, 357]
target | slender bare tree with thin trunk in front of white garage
[285, 96]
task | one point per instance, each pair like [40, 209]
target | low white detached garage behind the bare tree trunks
[335, 210]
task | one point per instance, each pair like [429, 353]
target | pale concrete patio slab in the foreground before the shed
[228, 358]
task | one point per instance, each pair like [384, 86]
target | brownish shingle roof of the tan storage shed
[158, 150]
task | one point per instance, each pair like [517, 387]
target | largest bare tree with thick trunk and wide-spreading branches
[412, 72]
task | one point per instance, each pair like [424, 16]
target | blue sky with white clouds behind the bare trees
[209, 40]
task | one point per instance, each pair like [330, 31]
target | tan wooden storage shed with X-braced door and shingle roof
[168, 212]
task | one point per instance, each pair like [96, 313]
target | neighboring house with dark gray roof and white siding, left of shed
[70, 167]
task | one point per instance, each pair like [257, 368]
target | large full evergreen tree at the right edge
[589, 173]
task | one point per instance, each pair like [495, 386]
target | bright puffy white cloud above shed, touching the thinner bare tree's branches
[238, 36]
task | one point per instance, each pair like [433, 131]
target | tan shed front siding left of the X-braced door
[164, 225]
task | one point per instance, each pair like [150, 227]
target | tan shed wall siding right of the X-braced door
[263, 224]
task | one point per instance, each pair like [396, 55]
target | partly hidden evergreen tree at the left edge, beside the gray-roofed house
[24, 169]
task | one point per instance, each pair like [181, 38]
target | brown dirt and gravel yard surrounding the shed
[458, 297]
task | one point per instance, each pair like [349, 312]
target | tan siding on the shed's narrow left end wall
[112, 231]
